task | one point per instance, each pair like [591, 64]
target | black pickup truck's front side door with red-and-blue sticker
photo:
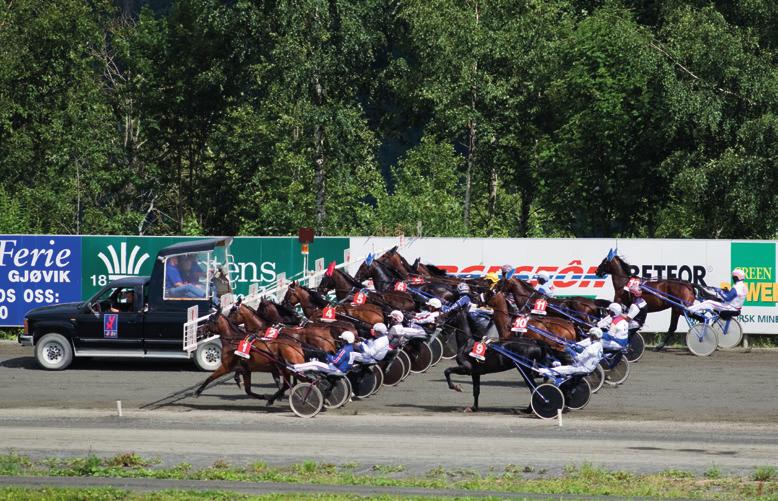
[117, 326]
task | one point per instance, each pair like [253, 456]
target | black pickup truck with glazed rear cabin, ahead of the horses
[136, 317]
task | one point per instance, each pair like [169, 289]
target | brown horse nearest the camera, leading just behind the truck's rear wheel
[272, 357]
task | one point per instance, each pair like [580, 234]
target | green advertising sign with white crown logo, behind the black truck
[256, 259]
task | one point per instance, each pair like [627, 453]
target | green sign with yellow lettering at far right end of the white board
[757, 259]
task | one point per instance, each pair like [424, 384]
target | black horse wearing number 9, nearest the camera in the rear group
[495, 362]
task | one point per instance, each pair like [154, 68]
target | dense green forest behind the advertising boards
[509, 118]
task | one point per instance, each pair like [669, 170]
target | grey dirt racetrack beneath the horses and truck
[676, 410]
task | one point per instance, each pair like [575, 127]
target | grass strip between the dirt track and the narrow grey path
[584, 480]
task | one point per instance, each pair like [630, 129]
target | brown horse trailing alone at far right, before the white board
[618, 269]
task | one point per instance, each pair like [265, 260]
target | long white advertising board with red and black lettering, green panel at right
[572, 264]
